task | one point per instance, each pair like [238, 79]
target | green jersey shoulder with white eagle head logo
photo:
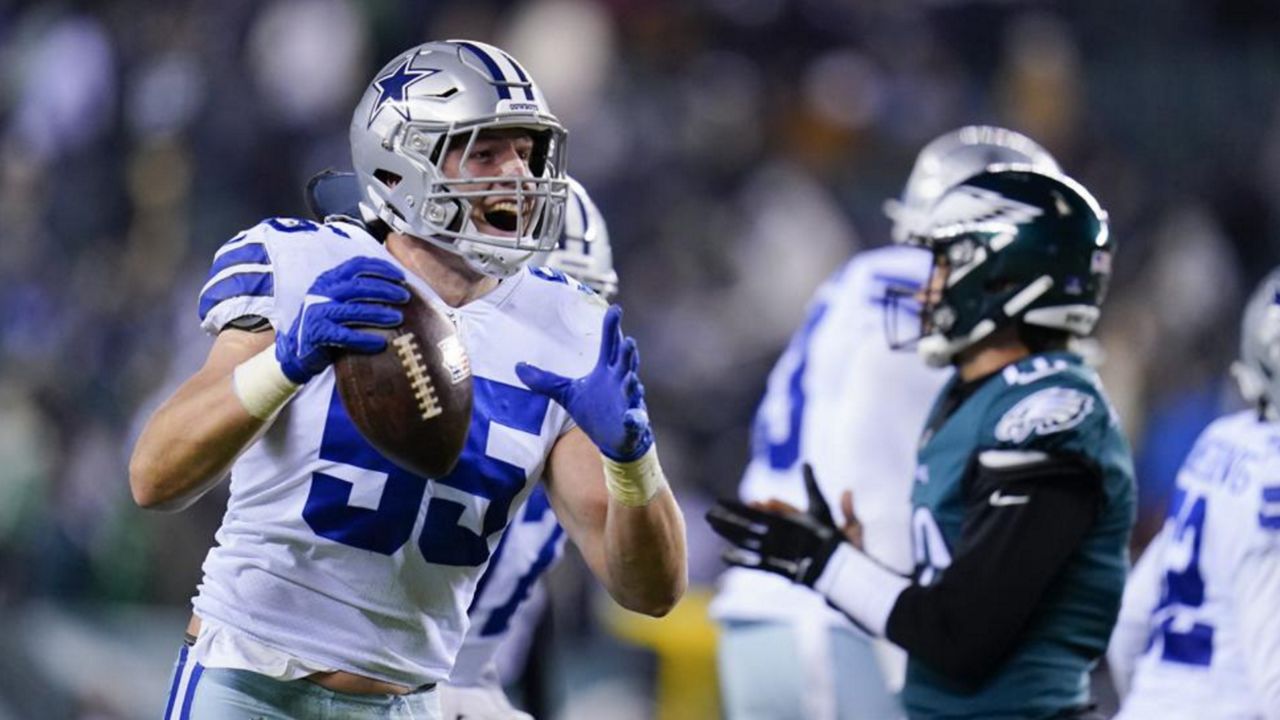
[1048, 407]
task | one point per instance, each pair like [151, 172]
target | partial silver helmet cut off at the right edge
[1259, 368]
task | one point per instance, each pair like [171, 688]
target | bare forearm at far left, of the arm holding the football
[190, 444]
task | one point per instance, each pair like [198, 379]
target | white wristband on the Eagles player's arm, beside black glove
[861, 587]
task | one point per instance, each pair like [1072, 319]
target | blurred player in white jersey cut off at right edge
[1200, 631]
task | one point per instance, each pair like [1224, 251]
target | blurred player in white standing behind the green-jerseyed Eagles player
[838, 399]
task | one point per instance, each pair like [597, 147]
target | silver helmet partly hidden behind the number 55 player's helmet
[584, 250]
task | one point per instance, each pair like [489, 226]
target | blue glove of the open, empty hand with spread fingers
[609, 403]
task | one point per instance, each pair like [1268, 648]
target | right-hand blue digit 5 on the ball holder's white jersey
[445, 540]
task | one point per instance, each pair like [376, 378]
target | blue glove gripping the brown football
[354, 294]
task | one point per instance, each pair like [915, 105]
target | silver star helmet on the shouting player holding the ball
[440, 98]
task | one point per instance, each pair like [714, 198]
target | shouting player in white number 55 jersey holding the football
[340, 584]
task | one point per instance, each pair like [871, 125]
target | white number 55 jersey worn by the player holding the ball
[330, 553]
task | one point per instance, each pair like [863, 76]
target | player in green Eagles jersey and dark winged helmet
[1023, 494]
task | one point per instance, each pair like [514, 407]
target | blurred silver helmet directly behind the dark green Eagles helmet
[954, 157]
